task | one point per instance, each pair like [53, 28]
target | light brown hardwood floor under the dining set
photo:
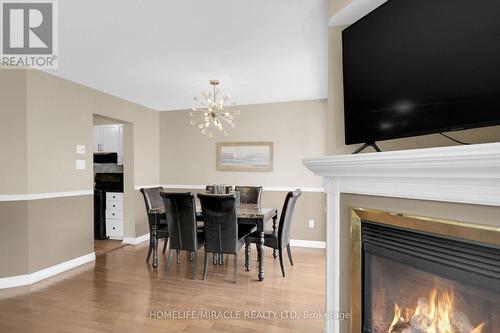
[120, 291]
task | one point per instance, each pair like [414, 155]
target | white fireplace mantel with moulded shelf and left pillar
[464, 174]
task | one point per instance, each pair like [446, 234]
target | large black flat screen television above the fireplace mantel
[414, 67]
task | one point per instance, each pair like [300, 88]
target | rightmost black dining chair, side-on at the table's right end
[277, 240]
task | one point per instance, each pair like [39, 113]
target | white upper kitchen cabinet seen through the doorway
[109, 139]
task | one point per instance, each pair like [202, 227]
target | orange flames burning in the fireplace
[434, 315]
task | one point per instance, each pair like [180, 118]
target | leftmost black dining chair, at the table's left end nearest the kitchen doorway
[153, 201]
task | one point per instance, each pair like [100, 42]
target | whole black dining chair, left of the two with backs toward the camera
[184, 234]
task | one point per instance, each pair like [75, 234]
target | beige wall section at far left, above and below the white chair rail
[13, 173]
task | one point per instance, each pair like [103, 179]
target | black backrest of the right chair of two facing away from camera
[221, 222]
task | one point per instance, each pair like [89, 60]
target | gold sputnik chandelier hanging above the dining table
[213, 112]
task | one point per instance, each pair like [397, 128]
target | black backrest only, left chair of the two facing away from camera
[181, 219]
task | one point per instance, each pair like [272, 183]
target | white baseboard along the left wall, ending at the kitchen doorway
[24, 280]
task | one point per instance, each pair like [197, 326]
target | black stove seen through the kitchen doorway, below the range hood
[103, 183]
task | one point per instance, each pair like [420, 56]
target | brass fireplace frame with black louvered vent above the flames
[383, 234]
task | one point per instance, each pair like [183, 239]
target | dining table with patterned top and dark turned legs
[247, 214]
